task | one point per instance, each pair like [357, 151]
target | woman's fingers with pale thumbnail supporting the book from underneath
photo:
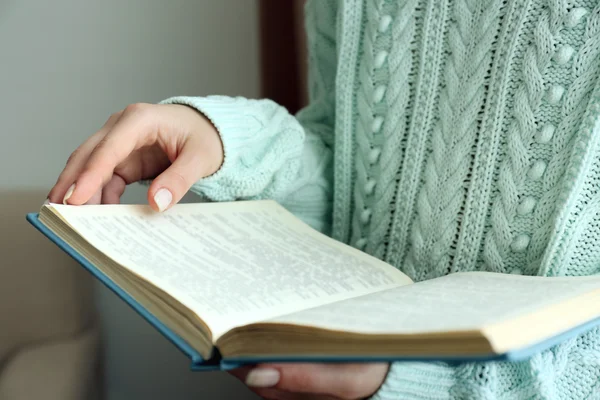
[313, 381]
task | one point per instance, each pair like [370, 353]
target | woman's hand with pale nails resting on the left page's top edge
[173, 143]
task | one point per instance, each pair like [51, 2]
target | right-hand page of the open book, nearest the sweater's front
[462, 301]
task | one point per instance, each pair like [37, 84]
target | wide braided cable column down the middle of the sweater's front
[461, 100]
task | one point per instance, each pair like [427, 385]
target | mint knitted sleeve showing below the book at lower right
[570, 370]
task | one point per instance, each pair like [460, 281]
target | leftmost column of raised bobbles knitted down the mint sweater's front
[387, 52]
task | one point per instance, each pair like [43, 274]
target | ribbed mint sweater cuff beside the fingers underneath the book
[408, 380]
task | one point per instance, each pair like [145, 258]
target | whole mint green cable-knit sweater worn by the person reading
[441, 136]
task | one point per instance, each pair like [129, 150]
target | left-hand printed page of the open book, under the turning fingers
[231, 263]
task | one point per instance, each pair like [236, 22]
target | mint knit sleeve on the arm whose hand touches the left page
[270, 154]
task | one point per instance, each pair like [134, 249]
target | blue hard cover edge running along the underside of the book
[216, 362]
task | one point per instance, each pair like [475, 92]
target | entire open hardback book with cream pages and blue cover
[242, 282]
